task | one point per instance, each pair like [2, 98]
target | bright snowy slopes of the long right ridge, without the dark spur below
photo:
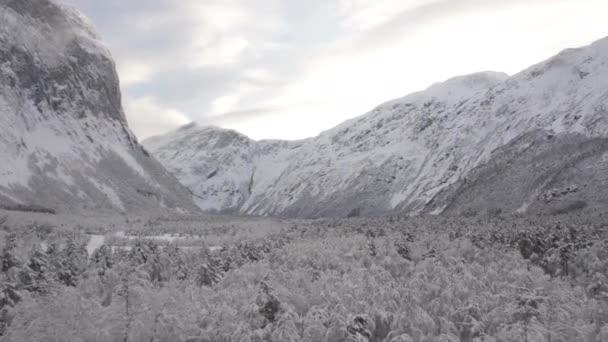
[413, 142]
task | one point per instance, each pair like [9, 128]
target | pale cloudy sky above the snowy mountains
[292, 68]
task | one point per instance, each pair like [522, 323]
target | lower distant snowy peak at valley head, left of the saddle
[220, 166]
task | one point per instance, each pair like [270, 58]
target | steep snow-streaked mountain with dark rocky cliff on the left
[64, 140]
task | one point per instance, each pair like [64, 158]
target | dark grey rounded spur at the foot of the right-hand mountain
[537, 173]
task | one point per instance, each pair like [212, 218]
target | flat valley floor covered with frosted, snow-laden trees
[255, 279]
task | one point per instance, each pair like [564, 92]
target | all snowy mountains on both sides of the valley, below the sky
[487, 143]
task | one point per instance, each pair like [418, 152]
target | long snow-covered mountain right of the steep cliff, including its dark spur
[415, 154]
